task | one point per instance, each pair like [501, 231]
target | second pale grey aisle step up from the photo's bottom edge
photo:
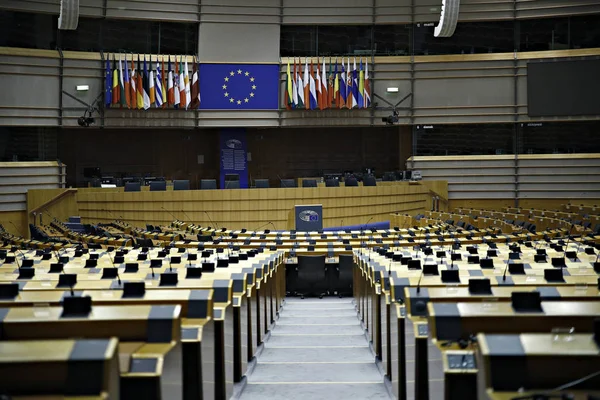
[321, 373]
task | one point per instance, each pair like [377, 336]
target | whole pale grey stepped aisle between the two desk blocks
[317, 350]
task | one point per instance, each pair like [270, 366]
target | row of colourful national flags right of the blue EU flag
[346, 87]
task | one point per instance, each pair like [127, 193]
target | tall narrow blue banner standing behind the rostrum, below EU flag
[233, 157]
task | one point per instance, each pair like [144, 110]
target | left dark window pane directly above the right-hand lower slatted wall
[468, 139]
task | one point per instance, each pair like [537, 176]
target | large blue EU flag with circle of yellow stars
[239, 86]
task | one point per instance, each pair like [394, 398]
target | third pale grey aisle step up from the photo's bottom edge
[332, 355]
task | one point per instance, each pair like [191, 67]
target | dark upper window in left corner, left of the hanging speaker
[34, 31]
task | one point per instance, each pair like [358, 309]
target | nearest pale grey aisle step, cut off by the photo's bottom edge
[371, 391]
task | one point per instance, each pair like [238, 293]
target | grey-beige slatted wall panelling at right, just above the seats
[542, 178]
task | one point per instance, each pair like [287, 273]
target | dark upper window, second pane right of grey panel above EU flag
[344, 40]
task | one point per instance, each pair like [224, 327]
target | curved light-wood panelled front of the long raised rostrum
[250, 208]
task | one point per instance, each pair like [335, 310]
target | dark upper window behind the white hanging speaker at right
[469, 38]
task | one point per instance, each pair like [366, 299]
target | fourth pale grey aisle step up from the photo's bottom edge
[304, 341]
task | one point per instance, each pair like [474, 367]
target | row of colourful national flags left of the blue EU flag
[136, 88]
